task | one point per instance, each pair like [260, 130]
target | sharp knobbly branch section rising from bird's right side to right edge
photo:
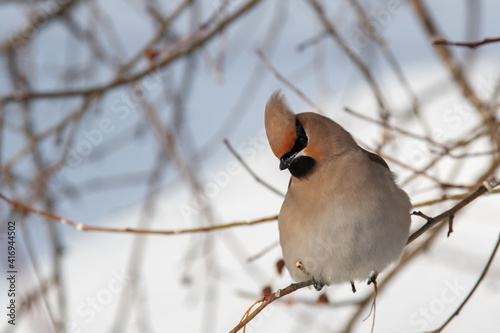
[449, 214]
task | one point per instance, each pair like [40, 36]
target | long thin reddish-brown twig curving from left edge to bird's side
[82, 227]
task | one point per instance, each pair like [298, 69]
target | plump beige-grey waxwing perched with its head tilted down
[344, 218]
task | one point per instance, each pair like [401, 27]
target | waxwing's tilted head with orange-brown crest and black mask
[302, 141]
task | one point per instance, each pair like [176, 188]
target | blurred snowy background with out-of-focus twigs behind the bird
[113, 114]
